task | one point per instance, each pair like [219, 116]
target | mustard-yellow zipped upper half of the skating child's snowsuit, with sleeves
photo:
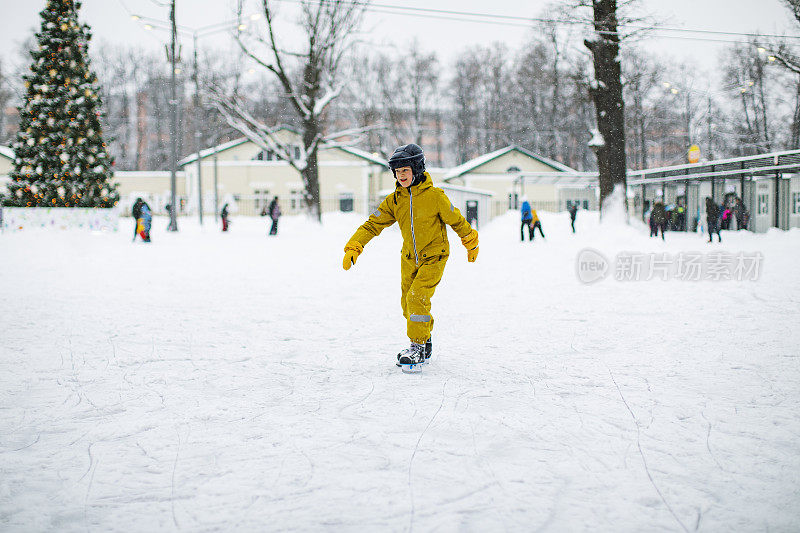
[422, 212]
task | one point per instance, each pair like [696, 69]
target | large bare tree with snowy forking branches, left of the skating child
[308, 77]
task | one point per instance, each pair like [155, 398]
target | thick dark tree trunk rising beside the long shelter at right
[607, 96]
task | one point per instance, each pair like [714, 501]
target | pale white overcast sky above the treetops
[111, 22]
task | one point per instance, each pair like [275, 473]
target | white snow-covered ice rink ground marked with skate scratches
[237, 382]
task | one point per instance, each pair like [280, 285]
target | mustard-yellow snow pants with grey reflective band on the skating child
[417, 286]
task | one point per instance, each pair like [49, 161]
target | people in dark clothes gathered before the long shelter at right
[718, 217]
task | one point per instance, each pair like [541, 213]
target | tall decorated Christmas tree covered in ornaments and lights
[60, 156]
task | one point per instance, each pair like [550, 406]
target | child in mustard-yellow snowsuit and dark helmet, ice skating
[422, 211]
